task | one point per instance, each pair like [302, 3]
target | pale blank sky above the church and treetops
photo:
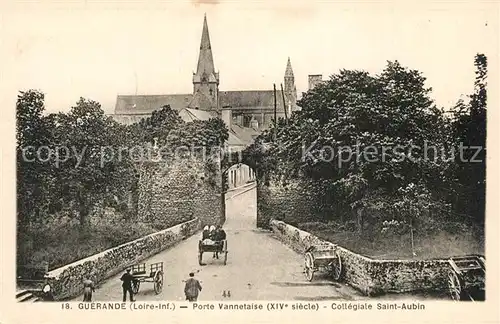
[98, 50]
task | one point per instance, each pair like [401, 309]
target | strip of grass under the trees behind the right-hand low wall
[436, 245]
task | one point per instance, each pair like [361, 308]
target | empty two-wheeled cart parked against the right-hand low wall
[322, 257]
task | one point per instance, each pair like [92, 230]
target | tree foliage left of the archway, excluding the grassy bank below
[88, 158]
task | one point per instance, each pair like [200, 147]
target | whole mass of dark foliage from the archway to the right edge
[376, 146]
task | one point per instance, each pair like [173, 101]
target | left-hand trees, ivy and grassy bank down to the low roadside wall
[88, 162]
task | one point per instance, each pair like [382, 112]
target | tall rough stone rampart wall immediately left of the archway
[172, 191]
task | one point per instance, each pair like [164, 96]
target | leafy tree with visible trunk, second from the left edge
[86, 174]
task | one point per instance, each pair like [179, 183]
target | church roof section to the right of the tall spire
[251, 99]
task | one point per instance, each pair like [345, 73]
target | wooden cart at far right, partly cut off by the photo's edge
[466, 278]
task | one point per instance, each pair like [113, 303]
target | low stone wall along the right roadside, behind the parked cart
[373, 277]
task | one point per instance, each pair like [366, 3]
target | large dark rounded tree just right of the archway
[343, 140]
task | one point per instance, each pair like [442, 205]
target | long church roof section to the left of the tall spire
[131, 104]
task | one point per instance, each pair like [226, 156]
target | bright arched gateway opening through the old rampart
[240, 201]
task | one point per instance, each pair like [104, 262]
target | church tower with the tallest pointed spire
[205, 80]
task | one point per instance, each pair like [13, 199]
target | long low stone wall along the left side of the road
[66, 282]
